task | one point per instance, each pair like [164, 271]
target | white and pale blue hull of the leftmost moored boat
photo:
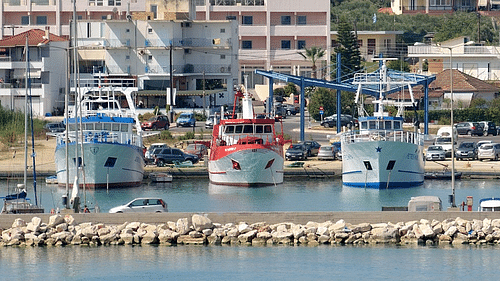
[100, 171]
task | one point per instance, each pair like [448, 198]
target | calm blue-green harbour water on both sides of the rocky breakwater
[370, 262]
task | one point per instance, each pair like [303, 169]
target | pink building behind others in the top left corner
[18, 16]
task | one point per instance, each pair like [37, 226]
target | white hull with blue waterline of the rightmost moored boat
[357, 157]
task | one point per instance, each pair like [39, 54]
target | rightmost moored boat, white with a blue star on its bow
[381, 154]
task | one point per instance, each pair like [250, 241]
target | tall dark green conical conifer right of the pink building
[348, 48]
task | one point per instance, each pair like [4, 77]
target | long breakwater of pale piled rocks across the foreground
[200, 230]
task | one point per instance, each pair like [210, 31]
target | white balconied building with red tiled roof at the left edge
[47, 72]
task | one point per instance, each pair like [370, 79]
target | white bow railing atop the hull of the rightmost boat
[383, 135]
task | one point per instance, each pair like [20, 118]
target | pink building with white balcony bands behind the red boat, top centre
[271, 32]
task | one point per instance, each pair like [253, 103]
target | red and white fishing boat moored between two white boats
[246, 151]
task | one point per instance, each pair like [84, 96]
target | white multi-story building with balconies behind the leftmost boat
[200, 51]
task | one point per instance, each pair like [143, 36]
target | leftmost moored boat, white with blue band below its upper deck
[108, 145]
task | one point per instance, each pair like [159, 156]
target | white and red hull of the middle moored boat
[254, 168]
